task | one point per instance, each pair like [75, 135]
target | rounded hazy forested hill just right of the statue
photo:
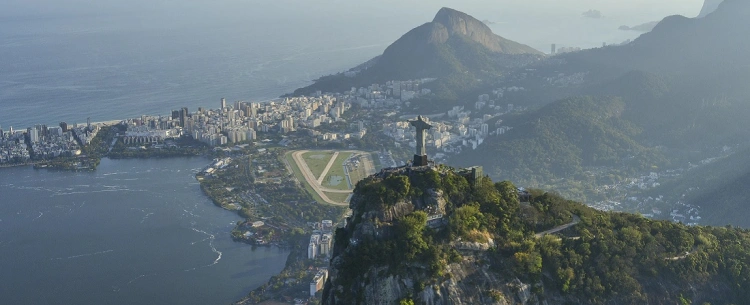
[562, 138]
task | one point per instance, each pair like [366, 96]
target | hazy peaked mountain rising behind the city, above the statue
[452, 43]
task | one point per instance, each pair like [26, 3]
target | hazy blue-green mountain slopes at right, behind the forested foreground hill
[682, 90]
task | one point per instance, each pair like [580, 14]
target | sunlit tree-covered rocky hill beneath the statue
[434, 235]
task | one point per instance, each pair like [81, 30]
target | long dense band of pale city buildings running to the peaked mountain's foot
[241, 121]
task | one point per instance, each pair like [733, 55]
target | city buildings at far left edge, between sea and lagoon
[43, 142]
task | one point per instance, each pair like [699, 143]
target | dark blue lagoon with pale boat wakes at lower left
[133, 232]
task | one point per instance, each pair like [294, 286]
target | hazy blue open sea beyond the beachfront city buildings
[116, 64]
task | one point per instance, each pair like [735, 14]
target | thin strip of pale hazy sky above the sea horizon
[539, 7]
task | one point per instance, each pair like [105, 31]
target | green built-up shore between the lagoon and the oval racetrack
[277, 213]
